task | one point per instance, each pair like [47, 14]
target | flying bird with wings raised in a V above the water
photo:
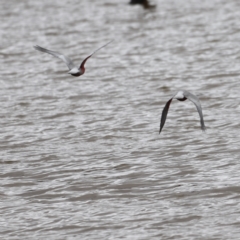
[73, 69]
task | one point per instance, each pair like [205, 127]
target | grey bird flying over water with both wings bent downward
[182, 96]
